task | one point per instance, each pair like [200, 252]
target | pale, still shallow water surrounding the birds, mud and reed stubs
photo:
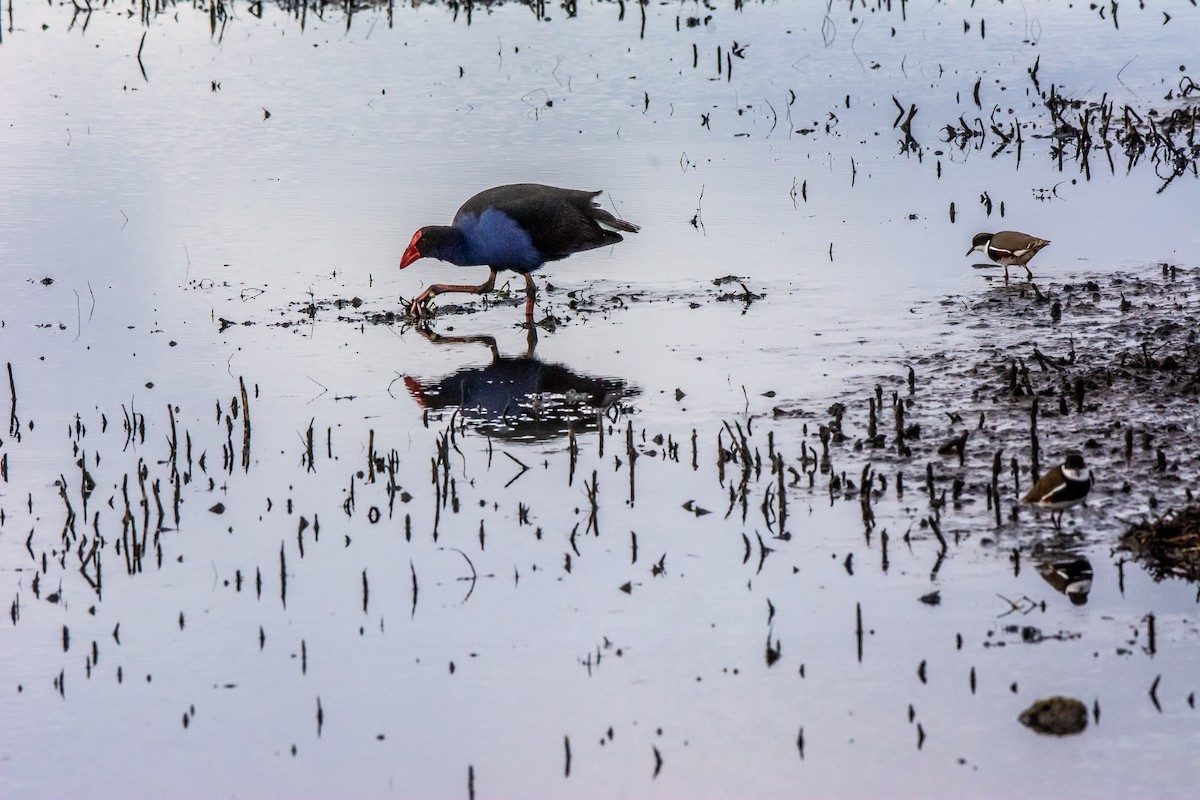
[430, 603]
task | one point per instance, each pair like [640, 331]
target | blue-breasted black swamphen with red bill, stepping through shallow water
[518, 227]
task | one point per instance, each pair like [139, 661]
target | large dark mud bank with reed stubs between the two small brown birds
[1108, 366]
